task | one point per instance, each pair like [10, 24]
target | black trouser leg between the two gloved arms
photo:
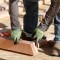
[31, 16]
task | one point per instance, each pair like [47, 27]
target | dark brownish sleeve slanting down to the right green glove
[50, 14]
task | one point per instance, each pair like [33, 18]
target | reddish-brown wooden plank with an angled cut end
[25, 47]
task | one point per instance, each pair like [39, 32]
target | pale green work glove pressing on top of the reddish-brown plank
[16, 35]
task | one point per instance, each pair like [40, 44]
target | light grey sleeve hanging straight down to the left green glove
[13, 11]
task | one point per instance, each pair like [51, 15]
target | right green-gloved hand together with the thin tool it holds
[38, 35]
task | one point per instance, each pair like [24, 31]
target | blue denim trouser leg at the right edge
[57, 27]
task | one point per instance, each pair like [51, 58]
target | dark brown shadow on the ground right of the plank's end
[48, 49]
